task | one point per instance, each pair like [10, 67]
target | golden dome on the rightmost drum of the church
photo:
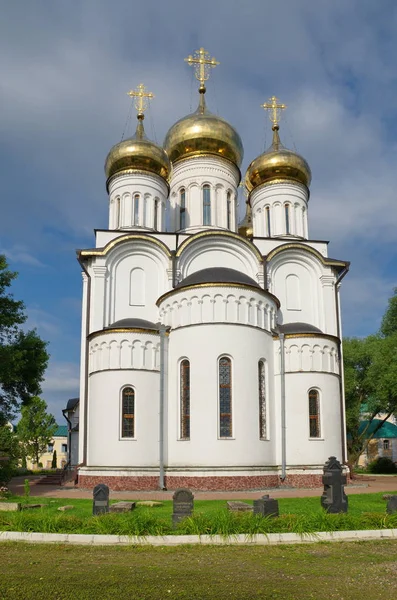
[277, 163]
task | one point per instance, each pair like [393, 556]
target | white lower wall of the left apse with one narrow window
[106, 448]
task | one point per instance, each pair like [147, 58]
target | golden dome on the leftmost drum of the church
[138, 154]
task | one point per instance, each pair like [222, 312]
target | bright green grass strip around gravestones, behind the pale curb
[297, 515]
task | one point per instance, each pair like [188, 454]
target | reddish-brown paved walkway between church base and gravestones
[361, 485]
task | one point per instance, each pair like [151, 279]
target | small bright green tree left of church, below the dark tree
[36, 428]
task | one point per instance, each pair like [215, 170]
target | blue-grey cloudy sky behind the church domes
[65, 70]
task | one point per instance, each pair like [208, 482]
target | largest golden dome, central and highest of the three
[203, 133]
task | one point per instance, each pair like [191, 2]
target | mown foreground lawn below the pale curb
[336, 571]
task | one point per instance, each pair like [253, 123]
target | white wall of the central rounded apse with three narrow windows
[203, 345]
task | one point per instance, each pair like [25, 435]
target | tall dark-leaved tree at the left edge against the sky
[23, 356]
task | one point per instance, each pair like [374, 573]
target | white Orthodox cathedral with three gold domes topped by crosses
[211, 349]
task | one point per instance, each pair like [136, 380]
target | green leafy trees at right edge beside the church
[370, 382]
